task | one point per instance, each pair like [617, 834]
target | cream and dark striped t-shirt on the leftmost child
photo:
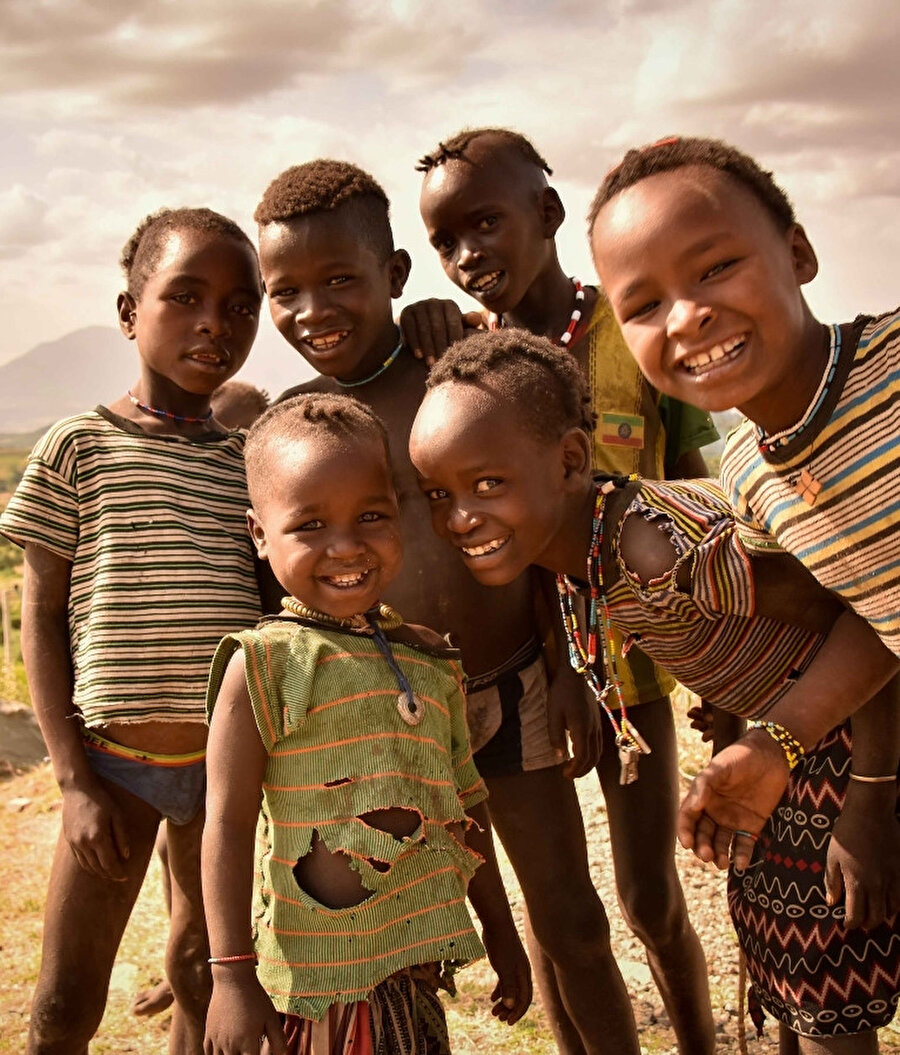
[162, 562]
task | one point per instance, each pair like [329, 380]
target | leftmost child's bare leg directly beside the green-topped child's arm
[188, 950]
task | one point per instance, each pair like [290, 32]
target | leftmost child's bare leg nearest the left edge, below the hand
[85, 919]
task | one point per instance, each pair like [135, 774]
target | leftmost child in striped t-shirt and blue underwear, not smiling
[138, 562]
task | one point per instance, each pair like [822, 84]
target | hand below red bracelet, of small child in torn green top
[241, 1014]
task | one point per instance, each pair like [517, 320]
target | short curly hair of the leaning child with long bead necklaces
[542, 381]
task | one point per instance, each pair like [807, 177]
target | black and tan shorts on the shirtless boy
[507, 714]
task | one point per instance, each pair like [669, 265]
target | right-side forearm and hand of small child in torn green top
[513, 992]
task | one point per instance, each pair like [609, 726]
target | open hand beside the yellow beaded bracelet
[732, 799]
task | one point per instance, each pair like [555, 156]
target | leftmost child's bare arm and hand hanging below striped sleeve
[92, 822]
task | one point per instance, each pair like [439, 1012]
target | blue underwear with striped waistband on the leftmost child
[173, 784]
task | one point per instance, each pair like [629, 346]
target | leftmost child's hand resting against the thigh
[95, 831]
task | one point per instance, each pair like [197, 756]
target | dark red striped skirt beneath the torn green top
[403, 1016]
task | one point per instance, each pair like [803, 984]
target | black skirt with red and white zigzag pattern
[807, 969]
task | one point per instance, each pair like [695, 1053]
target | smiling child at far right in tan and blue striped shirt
[704, 263]
